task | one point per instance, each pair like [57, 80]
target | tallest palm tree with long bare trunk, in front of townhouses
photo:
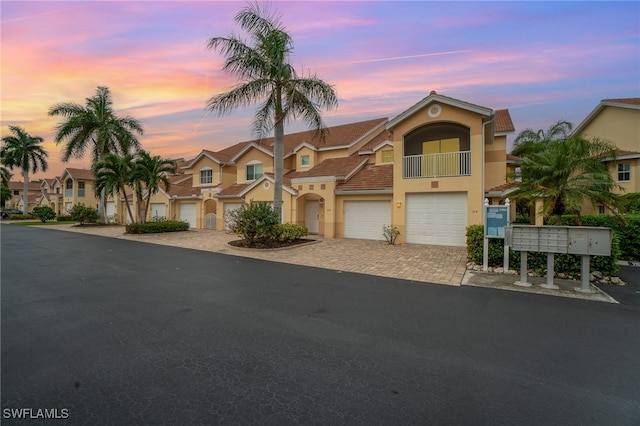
[267, 77]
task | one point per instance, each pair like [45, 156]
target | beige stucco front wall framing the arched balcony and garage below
[472, 185]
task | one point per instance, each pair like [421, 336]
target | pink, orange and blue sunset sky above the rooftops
[544, 61]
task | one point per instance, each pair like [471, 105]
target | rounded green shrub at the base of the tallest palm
[253, 221]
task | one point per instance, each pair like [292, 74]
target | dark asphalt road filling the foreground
[108, 331]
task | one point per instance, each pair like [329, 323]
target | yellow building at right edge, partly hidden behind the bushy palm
[617, 121]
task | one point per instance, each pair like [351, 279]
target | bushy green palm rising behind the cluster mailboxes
[566, 171]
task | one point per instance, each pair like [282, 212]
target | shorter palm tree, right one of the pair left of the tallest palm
[149, 173]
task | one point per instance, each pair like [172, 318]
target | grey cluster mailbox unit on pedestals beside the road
[581, 240]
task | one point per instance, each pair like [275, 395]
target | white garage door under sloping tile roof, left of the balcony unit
[365, 219]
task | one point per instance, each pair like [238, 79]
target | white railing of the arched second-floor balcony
[437, 165]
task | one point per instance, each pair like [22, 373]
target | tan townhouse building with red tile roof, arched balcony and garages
[425, 172]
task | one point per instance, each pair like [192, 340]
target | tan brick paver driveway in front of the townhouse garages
[433, 264]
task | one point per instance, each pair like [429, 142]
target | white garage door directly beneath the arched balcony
[438, 219]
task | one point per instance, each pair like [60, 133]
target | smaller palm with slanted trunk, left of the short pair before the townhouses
[114, 174]
